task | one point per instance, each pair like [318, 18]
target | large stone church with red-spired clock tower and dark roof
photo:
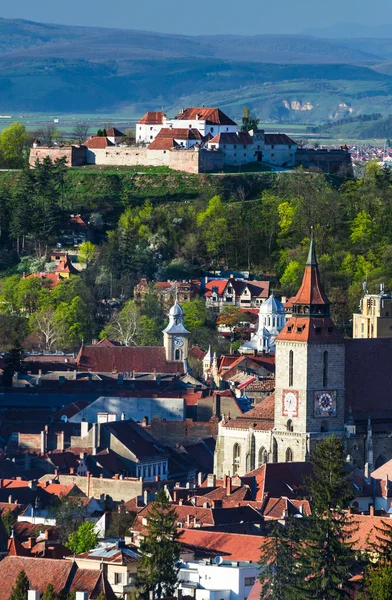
[324, 384]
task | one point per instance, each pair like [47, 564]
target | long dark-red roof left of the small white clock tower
[125, 359]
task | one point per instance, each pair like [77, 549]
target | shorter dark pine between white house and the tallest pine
[278, 563]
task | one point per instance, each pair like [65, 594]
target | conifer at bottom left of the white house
[160, 550]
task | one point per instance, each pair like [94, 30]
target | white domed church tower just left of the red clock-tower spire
[271, 323]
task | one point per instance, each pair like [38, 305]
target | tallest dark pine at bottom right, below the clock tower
[326, 554]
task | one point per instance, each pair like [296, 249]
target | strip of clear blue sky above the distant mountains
[203, 16]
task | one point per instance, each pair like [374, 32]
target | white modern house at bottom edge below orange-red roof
[217, 580]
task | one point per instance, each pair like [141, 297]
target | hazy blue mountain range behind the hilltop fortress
[293, 78]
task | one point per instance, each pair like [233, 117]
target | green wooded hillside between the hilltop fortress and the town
[262, 228]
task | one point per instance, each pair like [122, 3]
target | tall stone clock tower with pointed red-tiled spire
[309, 391]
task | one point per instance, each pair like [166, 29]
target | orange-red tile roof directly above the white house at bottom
[231, 546]
